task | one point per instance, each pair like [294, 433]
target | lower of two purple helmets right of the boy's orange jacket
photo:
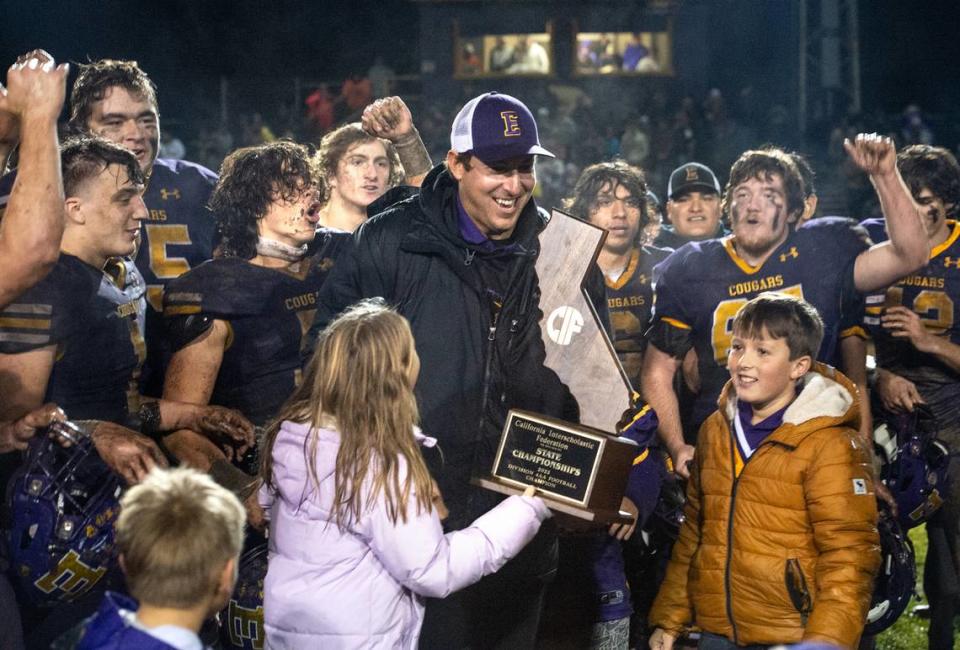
[897, 577]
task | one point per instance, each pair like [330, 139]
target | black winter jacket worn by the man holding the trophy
[477, 361]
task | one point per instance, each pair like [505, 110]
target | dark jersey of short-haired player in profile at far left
[96, 321]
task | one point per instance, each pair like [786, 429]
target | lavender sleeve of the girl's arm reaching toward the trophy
[420, 557]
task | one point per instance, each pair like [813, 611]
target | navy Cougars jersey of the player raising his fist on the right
[702, 286]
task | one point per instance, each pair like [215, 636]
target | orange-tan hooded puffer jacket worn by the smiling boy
[788, 550]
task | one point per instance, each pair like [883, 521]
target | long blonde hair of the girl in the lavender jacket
[359, 377]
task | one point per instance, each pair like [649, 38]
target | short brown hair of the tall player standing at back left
[96, 78]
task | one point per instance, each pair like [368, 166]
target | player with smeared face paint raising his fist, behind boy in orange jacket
[703, 284]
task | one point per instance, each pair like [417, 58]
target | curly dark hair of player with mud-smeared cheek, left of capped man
[251, 179]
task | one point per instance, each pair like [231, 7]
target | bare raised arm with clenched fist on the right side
[907, 249]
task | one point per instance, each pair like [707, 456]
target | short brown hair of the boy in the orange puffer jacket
[783, 317]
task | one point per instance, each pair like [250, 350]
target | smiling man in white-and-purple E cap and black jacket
[457, 260]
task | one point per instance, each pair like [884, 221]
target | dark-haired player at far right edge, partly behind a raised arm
[915, 325]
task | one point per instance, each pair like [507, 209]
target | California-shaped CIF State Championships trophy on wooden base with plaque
[579, 469]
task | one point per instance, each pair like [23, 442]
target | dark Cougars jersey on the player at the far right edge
[934, 294]
